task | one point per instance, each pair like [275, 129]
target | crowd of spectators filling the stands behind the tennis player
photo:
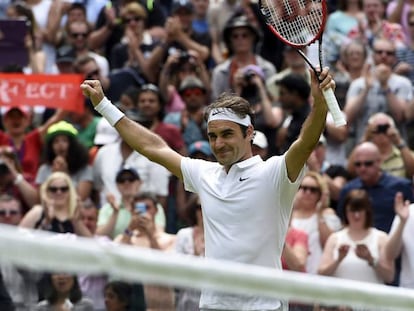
[161, 62]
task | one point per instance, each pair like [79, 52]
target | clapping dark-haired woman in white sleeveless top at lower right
[357, 251]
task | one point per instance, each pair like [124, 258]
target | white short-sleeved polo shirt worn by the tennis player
[246, 215]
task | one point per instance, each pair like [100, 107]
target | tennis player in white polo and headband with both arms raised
[246, 201]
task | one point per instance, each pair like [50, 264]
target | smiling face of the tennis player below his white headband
[228, 143]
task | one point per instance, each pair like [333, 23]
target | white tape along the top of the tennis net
[45, 251]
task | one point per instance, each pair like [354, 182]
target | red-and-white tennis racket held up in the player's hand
[299, 23]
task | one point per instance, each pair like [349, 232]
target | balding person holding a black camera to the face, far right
[397, 158]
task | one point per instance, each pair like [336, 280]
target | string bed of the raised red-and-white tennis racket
[299, 22]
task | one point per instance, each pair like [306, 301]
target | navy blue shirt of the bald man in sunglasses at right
[382, 195]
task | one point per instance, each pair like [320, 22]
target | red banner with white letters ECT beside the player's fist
[53, 91]
